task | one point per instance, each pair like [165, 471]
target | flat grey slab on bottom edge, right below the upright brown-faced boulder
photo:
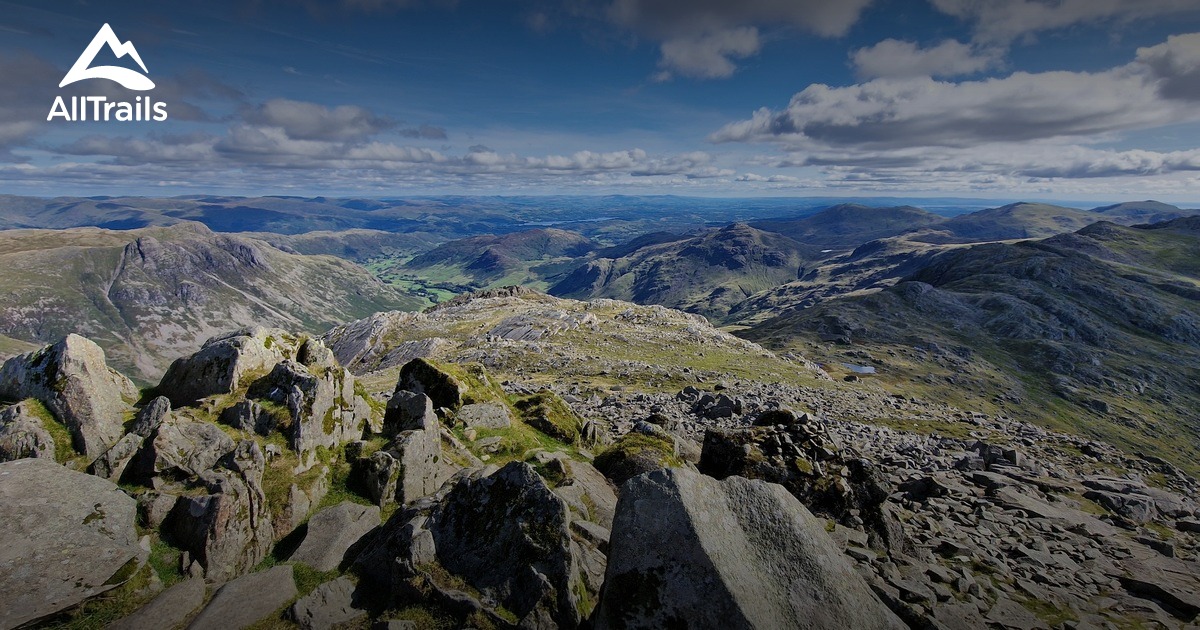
[248, 601]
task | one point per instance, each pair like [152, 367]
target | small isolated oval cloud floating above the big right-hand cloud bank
[901, 59]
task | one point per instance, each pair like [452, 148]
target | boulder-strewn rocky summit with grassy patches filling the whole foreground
[513, 460]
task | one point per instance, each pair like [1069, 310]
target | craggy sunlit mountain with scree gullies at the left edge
[148, 296]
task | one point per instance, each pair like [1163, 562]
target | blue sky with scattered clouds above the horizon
[995, 99]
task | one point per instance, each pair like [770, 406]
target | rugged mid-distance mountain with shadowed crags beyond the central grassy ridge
[707, 274]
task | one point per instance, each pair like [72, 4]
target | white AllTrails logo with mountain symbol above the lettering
[100, 109]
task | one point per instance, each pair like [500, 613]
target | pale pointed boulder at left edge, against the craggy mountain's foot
[74, 381]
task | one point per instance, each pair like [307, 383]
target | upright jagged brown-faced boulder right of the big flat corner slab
[227, 526]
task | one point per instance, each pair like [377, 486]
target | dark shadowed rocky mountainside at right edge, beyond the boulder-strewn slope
[1096, 331]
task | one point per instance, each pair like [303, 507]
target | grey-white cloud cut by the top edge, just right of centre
[703, 39]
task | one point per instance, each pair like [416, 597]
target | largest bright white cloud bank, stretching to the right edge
[922, 112]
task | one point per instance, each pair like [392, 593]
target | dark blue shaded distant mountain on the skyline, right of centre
[848, 226]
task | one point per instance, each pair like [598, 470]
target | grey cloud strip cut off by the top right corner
[1004, 21]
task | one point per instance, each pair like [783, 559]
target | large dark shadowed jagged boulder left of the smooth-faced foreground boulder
[506, 536]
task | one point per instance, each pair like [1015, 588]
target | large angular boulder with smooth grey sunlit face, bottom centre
[689, 551]
